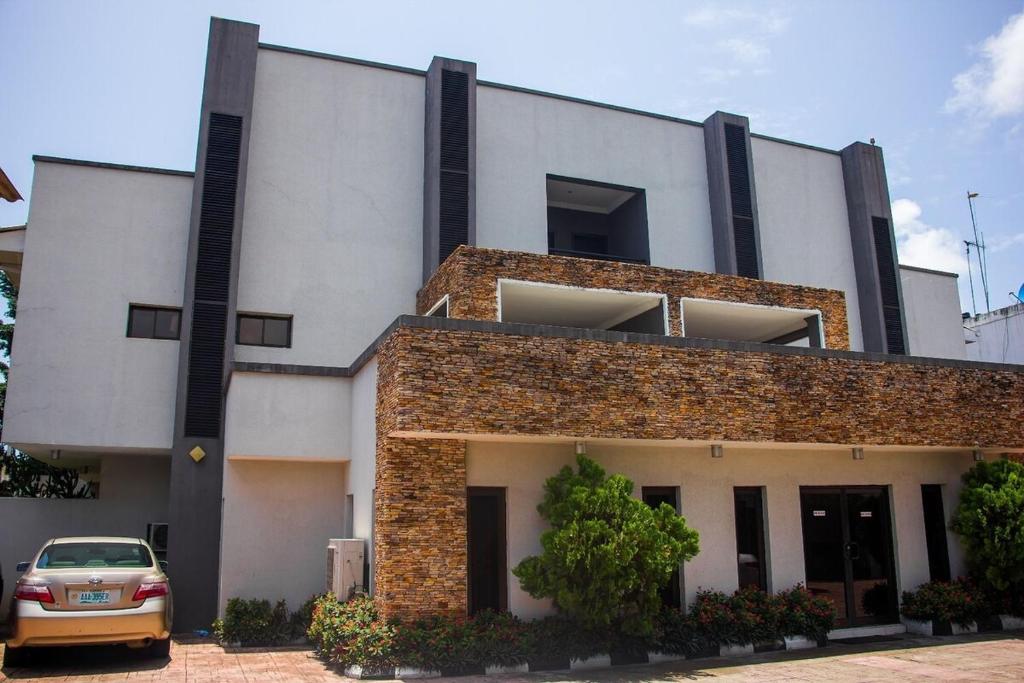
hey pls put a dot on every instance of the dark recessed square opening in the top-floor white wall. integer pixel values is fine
(589, 220)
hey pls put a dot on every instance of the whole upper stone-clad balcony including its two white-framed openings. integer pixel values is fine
(517, 287)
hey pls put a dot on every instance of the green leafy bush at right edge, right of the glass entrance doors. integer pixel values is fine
(991, 523)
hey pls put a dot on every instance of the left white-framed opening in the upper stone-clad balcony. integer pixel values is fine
(538, 304)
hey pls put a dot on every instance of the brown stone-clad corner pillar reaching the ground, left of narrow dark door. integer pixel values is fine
(420, 515)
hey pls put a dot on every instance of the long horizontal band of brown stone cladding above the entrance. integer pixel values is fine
(454, 382)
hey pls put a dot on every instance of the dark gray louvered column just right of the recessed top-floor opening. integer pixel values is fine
(733, 195)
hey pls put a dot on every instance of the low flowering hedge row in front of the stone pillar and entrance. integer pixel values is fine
(355, 634)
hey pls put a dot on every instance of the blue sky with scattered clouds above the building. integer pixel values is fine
(938, 84)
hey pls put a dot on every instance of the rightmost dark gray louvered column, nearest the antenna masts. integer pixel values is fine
(875, 263)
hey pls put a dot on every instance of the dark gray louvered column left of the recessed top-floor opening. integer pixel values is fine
(450, 160)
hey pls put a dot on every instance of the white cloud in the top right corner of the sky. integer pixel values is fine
(995, 87)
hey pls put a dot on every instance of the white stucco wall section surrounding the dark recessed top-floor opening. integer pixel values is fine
(522, 138)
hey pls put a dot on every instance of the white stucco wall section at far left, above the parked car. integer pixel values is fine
(98, 240)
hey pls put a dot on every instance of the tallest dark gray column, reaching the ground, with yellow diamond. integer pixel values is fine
(208, 322)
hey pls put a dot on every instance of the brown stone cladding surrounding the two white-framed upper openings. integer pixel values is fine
(470, 277)
